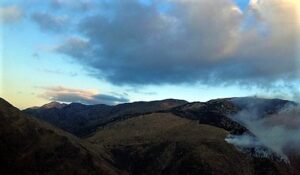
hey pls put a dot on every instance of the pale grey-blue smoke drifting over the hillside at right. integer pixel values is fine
(279, 131)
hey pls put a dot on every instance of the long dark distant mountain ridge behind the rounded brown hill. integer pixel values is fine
(82, 120)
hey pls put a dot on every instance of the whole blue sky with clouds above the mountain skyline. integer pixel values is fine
(115, 51)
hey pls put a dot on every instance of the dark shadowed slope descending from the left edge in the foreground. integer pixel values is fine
(28, 146)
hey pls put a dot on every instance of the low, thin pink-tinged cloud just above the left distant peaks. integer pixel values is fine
(70, 95)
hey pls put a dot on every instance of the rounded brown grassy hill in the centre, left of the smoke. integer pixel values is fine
(163, 143)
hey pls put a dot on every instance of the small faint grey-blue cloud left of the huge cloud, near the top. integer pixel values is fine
(52, 23)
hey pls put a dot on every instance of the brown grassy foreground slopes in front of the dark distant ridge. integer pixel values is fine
(158, 143)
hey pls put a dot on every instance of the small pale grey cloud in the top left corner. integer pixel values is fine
(10, 14)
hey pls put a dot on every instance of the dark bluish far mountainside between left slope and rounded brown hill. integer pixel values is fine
(82, 119)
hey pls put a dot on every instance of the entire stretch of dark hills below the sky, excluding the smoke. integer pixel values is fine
(168, 137)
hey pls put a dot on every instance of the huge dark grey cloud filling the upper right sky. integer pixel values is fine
(189, 41)
